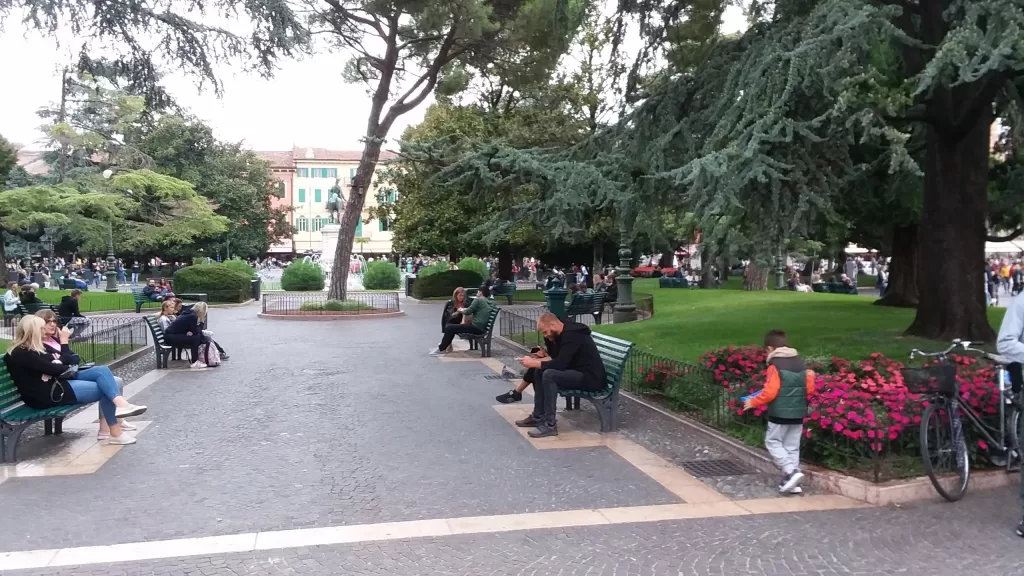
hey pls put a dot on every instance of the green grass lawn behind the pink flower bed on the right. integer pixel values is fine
(688, 323)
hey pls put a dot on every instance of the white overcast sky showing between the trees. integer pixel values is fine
(306, 104)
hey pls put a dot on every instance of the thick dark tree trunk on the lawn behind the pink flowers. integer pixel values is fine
(953, 303)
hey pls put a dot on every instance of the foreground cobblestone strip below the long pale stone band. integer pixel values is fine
(972, 538)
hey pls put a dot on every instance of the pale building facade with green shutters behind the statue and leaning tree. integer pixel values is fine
(307, 176)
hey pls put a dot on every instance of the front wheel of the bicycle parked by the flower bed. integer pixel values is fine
(944, 451)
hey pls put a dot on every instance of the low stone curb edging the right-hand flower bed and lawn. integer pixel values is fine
(892, 492)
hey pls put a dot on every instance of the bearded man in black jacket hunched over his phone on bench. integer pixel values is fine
(575, 364)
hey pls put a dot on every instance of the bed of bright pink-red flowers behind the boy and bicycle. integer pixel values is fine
(862, 419)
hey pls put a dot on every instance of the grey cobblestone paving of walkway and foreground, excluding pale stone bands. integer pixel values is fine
(328, 424)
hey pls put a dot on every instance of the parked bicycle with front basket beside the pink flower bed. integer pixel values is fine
(943, 422)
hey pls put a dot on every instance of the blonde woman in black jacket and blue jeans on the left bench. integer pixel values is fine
(36, 375)
